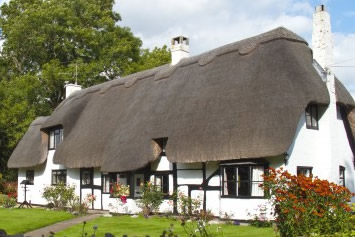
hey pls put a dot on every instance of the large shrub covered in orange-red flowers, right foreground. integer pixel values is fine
(305, 206)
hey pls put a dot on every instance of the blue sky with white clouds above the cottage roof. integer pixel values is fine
(213, 23)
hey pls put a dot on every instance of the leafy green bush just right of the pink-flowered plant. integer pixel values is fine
(151, 198)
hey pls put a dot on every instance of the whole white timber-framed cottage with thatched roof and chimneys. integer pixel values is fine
(207, 126)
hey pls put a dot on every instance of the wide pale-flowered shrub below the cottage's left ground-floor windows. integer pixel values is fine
(61, 195)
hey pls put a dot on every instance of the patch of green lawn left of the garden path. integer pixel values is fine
(16, 221)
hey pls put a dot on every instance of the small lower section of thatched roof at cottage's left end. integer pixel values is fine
(32, 149)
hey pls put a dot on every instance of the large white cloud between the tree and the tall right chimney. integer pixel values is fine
(210, 24)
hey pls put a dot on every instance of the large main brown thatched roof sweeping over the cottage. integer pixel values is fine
(243, 100)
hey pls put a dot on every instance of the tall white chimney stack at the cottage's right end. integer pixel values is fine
(322, 42)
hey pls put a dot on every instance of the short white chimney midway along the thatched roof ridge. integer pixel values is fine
(179, 49)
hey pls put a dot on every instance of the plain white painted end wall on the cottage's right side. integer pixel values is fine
(325, 149)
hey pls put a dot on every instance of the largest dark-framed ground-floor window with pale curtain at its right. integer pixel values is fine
(242, 181)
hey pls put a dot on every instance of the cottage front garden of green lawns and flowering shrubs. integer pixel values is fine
(302, 206)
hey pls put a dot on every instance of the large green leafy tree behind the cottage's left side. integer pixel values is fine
(47, 43)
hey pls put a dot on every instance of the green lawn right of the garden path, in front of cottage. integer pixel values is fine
(140, 227)
